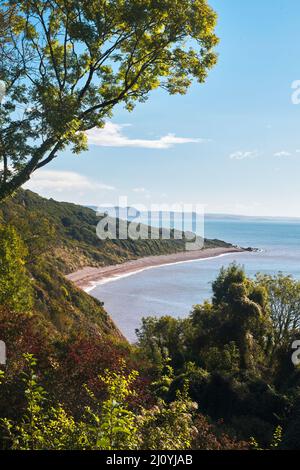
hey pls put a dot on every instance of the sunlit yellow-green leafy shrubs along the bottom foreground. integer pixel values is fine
(107, 425)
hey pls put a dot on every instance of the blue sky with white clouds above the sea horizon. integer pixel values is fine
(231, 145)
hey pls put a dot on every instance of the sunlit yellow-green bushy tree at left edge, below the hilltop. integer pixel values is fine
(15, 291)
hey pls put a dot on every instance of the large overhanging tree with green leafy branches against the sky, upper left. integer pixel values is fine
(73, 61)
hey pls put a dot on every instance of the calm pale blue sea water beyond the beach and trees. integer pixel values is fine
(174, 289)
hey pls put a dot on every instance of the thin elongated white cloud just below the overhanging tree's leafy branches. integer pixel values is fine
(112, 136)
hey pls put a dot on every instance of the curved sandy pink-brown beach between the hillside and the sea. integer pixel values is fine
(88, 277)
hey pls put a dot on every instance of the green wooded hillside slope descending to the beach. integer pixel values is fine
(61, 238)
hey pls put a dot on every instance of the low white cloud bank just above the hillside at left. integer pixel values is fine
(59, 181)
